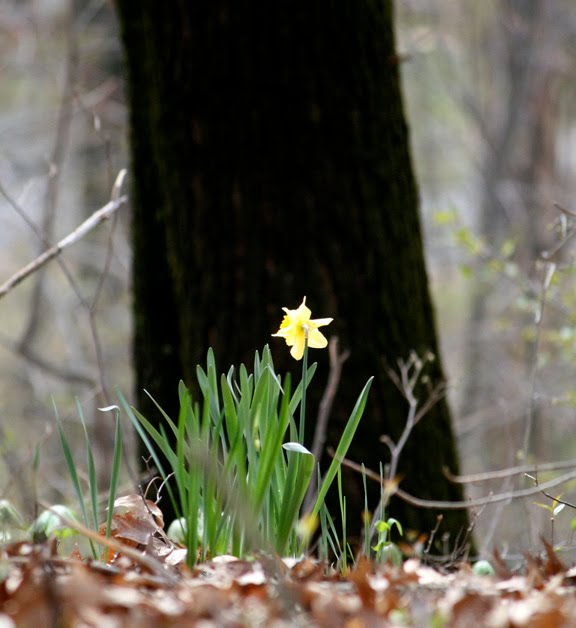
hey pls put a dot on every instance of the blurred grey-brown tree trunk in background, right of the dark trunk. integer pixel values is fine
(518, 176)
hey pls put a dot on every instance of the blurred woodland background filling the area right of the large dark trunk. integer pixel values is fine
(497, 78)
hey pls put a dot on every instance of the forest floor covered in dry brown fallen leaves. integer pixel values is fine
(151, 587)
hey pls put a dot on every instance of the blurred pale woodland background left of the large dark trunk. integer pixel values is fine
(64, 333)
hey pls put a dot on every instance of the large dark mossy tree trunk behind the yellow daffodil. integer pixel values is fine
(271, 161)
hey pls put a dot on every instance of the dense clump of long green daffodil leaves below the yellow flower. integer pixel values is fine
(239, 463)
